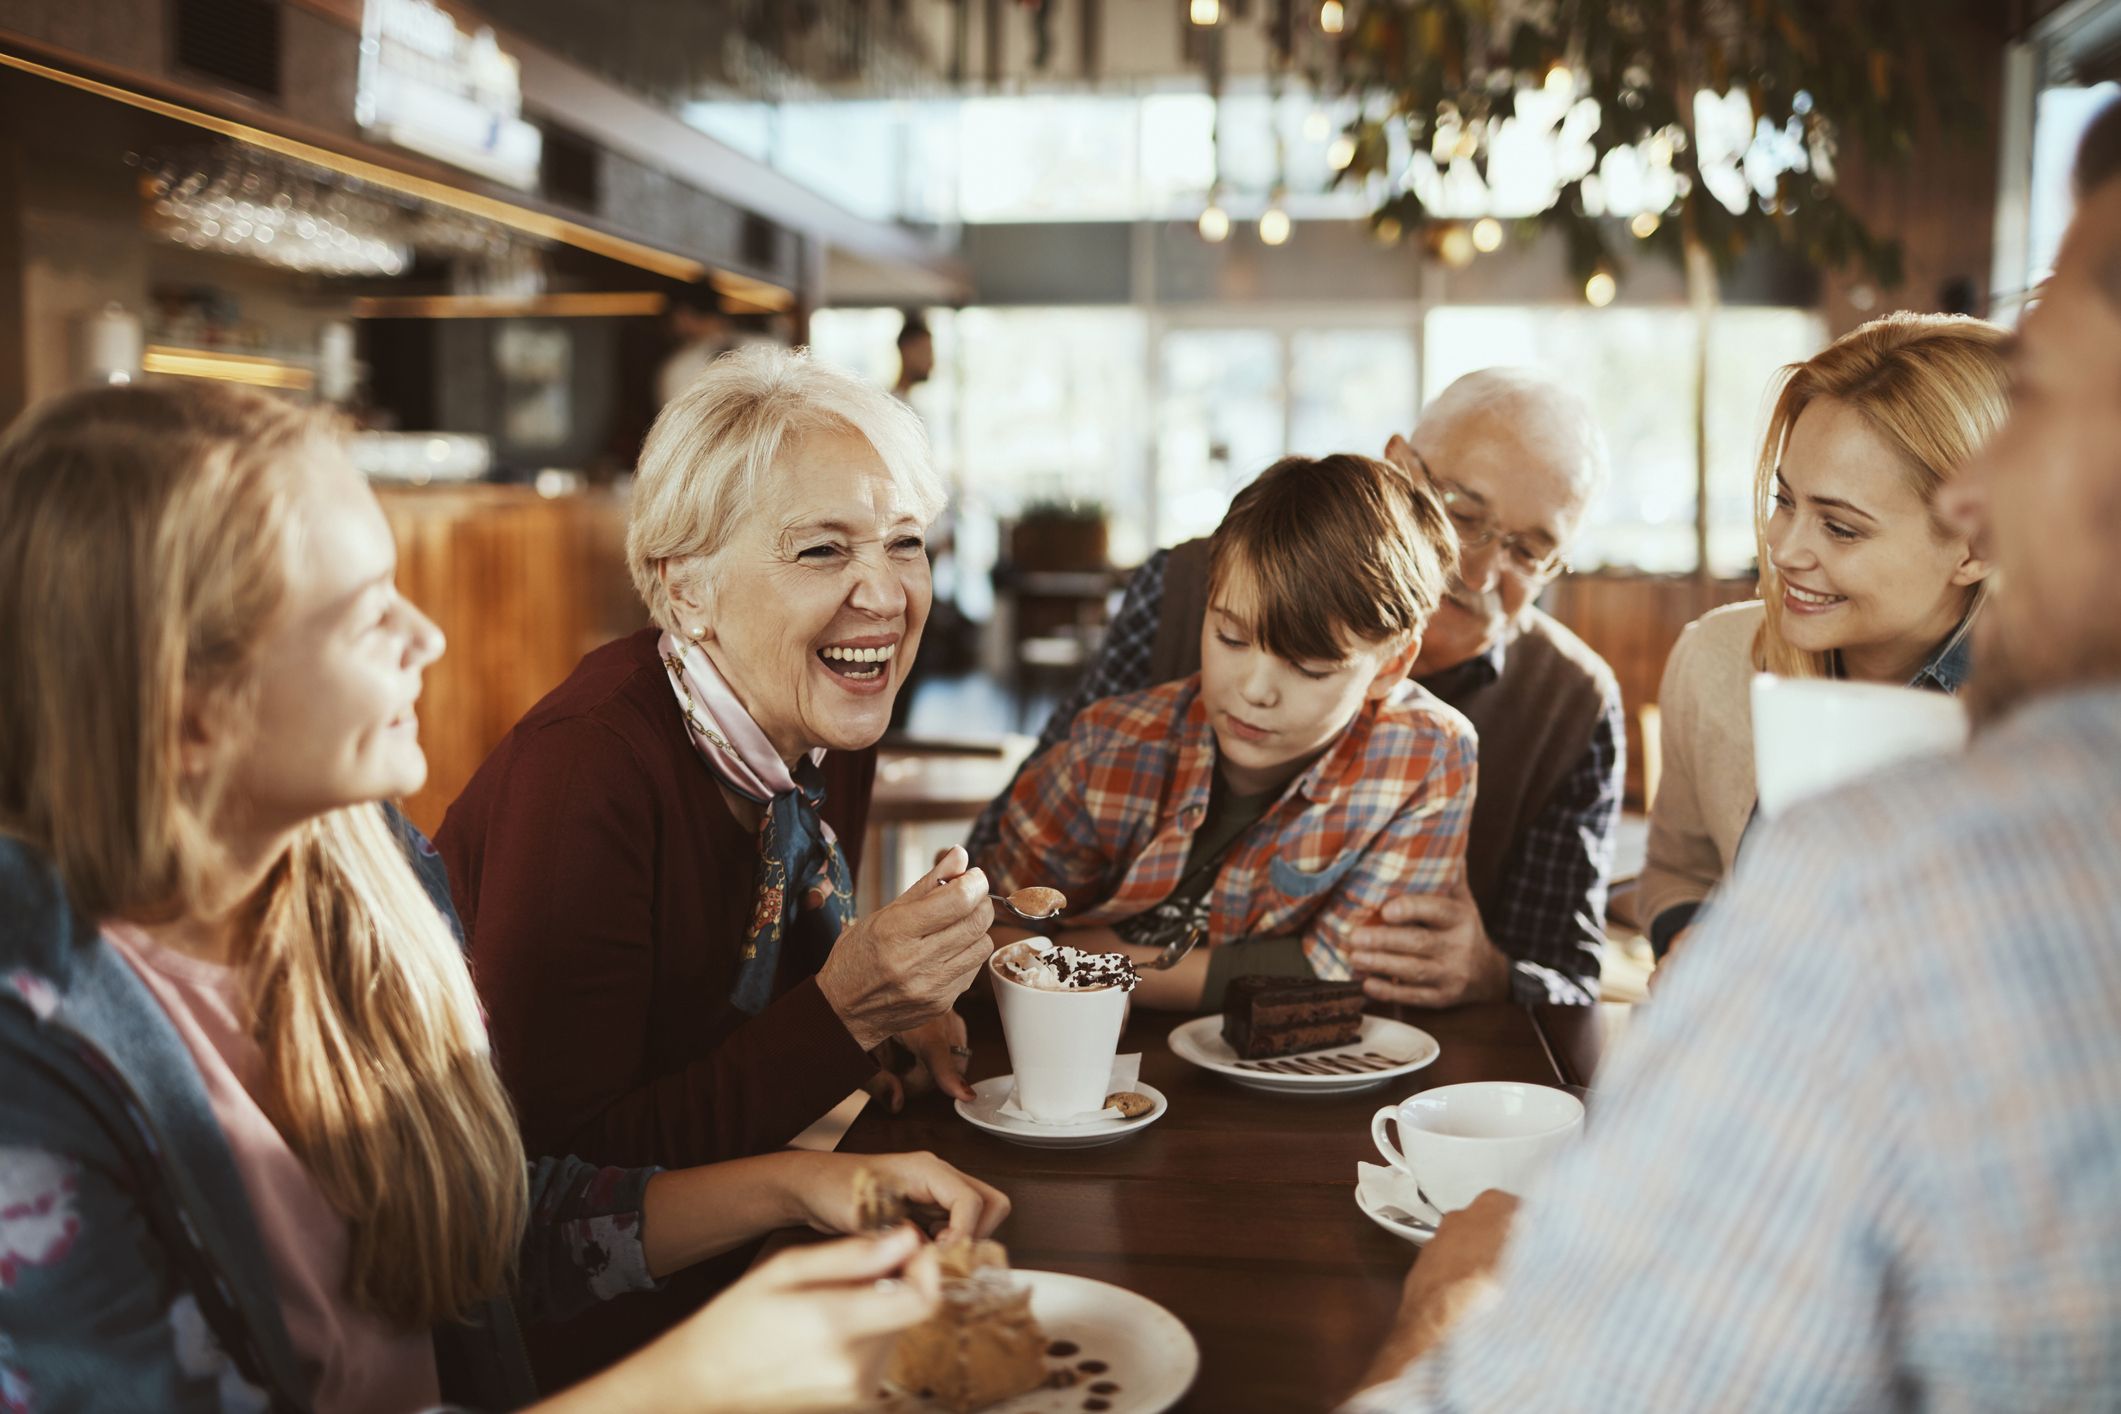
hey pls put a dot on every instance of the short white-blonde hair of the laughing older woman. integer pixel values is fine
(714, 450)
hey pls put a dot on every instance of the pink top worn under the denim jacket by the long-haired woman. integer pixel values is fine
(360, 1362)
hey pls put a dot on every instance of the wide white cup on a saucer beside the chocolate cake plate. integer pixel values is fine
(1458, 1142)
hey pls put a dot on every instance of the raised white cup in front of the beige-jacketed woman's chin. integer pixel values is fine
(1817, 735)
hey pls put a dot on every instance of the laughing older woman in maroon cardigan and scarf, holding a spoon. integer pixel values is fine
(656, 864)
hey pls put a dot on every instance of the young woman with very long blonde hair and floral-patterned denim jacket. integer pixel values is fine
(253, 1150)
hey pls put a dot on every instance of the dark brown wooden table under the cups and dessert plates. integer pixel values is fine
(1238, 1209)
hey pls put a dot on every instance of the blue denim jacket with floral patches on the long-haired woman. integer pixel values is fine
(133, 1273)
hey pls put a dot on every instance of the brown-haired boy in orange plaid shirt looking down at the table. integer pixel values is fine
(1295, 783)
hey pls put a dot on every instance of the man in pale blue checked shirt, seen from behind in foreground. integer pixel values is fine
(1865, 1150)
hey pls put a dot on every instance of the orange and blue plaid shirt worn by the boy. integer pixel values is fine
(1108, 815)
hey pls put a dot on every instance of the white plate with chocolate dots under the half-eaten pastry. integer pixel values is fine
(1149, 1354)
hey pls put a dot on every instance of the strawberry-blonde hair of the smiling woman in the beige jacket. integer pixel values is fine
(1935, 387)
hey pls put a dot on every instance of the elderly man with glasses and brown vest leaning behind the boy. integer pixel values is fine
(1515, 461)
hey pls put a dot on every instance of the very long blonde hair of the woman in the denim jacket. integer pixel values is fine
(145, 544)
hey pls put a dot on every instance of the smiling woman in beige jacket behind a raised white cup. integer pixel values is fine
(1861, 578)
